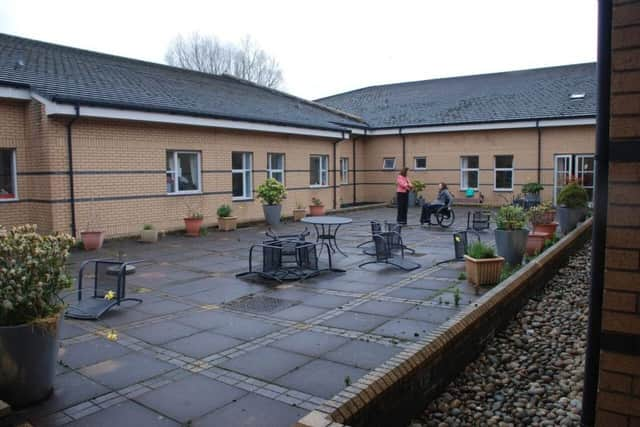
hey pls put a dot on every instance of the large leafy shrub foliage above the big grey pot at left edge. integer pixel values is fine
(33, 272)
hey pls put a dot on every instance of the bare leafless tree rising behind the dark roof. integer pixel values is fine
(210, 55)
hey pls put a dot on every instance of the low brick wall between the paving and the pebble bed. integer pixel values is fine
(401, 387)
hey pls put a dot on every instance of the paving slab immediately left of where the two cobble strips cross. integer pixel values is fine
(126, 370)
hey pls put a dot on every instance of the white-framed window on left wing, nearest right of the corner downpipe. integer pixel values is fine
(183, 172)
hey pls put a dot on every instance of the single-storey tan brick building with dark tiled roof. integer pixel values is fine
(89, 140)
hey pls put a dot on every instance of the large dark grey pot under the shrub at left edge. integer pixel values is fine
(28, 361)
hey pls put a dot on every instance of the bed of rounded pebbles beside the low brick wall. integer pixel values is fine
(532, 373)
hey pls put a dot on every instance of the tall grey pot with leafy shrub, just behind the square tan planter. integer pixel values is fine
(511, 234)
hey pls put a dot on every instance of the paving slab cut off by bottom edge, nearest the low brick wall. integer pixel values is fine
(253, 410)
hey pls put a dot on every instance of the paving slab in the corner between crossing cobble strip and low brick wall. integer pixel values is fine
(321, 378)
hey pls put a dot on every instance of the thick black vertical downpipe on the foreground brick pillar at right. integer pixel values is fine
(592, 360)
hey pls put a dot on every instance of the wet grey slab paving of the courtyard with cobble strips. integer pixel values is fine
(208, 349)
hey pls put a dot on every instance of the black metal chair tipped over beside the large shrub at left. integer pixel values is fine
(109, 288)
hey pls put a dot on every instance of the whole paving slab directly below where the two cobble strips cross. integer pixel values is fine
(190, 397)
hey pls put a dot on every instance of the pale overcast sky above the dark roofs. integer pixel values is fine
(331, 46)
